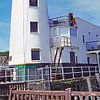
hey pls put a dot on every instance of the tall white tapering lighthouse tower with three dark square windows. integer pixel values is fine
(29, 36)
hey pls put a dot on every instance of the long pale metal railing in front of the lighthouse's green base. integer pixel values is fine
(48, 73)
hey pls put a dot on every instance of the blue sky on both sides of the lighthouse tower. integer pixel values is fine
(86, 9)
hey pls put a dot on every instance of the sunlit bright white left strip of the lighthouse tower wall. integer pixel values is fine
(16, 34)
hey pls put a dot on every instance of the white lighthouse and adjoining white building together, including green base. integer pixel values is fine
(65, 42)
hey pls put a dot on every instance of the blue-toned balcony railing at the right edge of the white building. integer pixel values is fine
(93, 45)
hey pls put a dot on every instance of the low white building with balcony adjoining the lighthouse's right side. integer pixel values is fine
(81, 42)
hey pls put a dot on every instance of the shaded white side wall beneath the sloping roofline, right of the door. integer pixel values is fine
(84, 28)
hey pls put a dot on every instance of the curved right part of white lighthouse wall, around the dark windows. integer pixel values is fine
(40, 39)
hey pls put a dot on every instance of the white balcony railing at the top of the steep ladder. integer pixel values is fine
(60, 41)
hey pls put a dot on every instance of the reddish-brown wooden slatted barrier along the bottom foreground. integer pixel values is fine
(53, 95)
